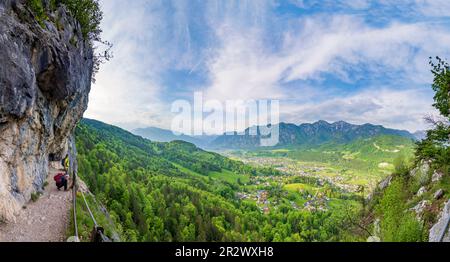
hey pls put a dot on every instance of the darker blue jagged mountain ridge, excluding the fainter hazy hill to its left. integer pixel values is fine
(317, 133)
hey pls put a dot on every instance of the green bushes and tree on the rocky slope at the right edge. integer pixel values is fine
(397, 222)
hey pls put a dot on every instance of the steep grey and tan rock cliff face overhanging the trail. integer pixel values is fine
(45, 77)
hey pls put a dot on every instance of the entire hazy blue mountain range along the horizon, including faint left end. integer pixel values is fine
(308, 134)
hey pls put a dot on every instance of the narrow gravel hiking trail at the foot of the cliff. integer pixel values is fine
(45, 220)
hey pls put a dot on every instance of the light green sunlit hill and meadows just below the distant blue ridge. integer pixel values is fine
(361, 162)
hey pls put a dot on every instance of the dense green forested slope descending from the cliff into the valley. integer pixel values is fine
(168, 192)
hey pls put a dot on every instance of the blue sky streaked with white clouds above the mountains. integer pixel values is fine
(355, 60)
